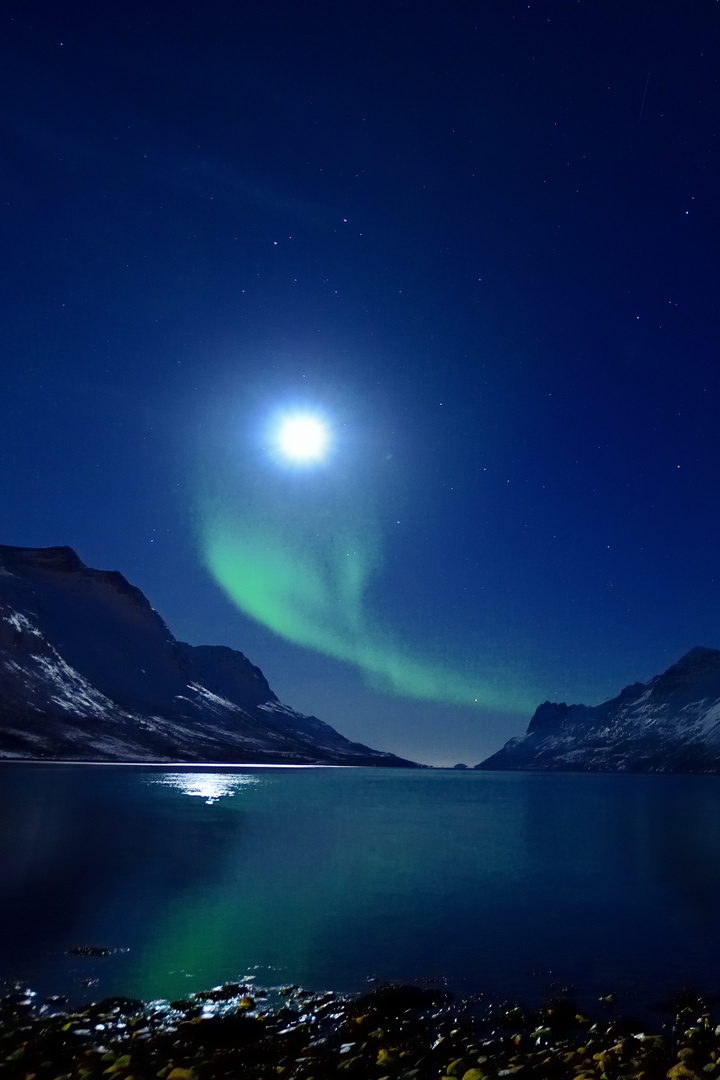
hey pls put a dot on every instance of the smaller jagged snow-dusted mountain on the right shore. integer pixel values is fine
(671, 724)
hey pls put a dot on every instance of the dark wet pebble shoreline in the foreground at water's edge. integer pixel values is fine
(395, 1033)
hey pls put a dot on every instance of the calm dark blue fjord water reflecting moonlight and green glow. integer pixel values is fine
(510, 884)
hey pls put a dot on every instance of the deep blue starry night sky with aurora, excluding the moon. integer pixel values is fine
(478, 242)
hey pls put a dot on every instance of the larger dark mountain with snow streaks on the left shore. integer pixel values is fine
(90, 672)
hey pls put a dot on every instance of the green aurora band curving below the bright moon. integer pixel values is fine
(296, 550)
